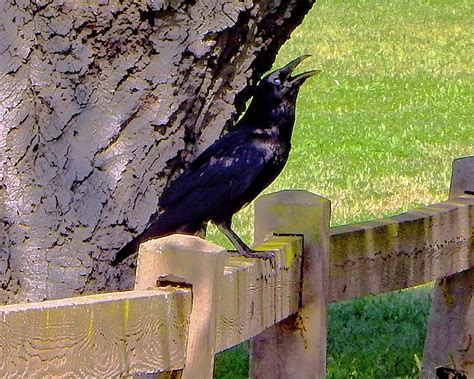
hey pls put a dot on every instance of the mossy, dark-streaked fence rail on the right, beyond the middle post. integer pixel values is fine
(403, 251)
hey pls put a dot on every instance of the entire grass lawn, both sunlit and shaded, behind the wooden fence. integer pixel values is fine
(376, 133)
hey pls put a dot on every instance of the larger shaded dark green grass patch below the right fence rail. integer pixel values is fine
(378, 336)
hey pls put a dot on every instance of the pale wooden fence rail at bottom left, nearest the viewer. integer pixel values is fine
(95, 336)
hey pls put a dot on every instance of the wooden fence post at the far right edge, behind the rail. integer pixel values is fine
(450, 338)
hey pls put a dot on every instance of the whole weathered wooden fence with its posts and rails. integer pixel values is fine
(191, 300)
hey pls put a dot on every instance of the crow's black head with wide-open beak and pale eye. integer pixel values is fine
(275, 95)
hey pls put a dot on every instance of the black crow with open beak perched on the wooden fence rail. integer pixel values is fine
(233, 170)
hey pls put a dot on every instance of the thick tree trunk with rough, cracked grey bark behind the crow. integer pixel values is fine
(102, 102)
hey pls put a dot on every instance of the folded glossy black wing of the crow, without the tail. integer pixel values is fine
(224, 171)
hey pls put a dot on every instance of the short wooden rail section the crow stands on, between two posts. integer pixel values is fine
(256, 296)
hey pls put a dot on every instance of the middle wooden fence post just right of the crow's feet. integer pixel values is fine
(296, 346)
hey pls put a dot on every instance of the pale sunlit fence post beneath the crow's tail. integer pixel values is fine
(194, 261)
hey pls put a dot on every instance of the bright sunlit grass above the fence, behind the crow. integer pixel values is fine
(377, 130)
